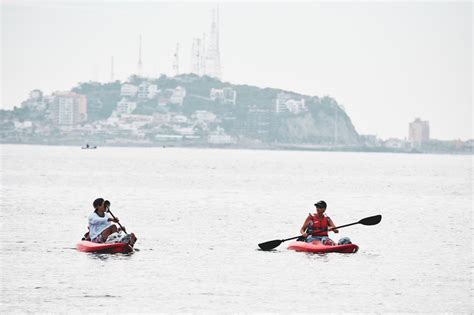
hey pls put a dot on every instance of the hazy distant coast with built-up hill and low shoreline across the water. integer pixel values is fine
(116, 115)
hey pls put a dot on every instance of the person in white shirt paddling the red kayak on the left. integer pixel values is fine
(100, 226)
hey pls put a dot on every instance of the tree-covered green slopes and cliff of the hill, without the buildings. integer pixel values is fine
(253, 115)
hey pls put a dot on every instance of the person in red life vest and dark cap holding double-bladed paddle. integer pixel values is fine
(316, 226)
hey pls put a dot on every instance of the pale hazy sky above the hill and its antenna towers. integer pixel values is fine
(387, 63)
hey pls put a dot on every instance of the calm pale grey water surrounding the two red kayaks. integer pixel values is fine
(199, 215)
